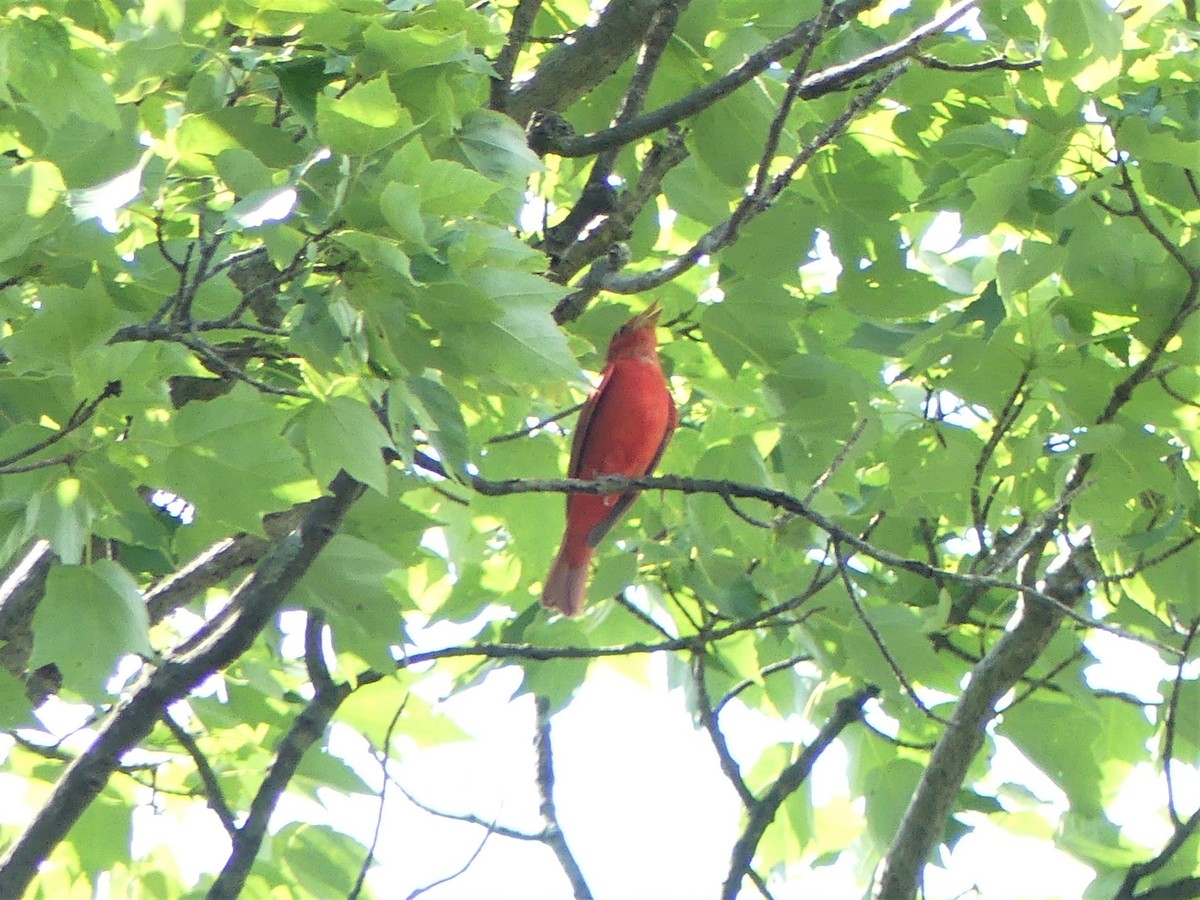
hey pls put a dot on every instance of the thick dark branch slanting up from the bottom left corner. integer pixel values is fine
(134, 719)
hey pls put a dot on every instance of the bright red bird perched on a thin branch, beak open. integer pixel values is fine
(623, 430)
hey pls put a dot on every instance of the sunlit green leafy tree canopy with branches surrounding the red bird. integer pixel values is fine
(298, 298)
